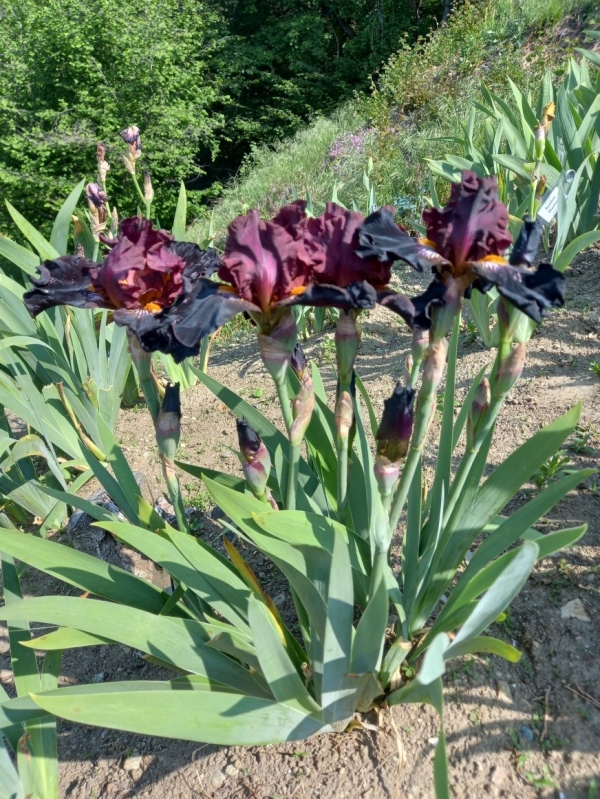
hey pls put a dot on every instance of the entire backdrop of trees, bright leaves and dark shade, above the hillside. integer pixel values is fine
(202, 79)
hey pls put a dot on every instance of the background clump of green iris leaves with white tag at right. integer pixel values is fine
(562, 180)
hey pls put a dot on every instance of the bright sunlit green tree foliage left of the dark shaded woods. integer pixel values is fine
(76, 72)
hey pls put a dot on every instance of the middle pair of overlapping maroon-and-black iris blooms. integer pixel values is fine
(269, 266)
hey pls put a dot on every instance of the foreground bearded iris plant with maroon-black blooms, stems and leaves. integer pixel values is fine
(326, 512)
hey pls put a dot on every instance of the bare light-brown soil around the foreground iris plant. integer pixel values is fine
(525, 730)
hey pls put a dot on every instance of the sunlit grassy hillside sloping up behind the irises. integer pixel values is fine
(421, 97)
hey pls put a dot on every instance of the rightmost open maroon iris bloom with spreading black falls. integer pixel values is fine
(465, 244)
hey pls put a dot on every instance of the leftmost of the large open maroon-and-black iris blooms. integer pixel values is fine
(142, 277)
